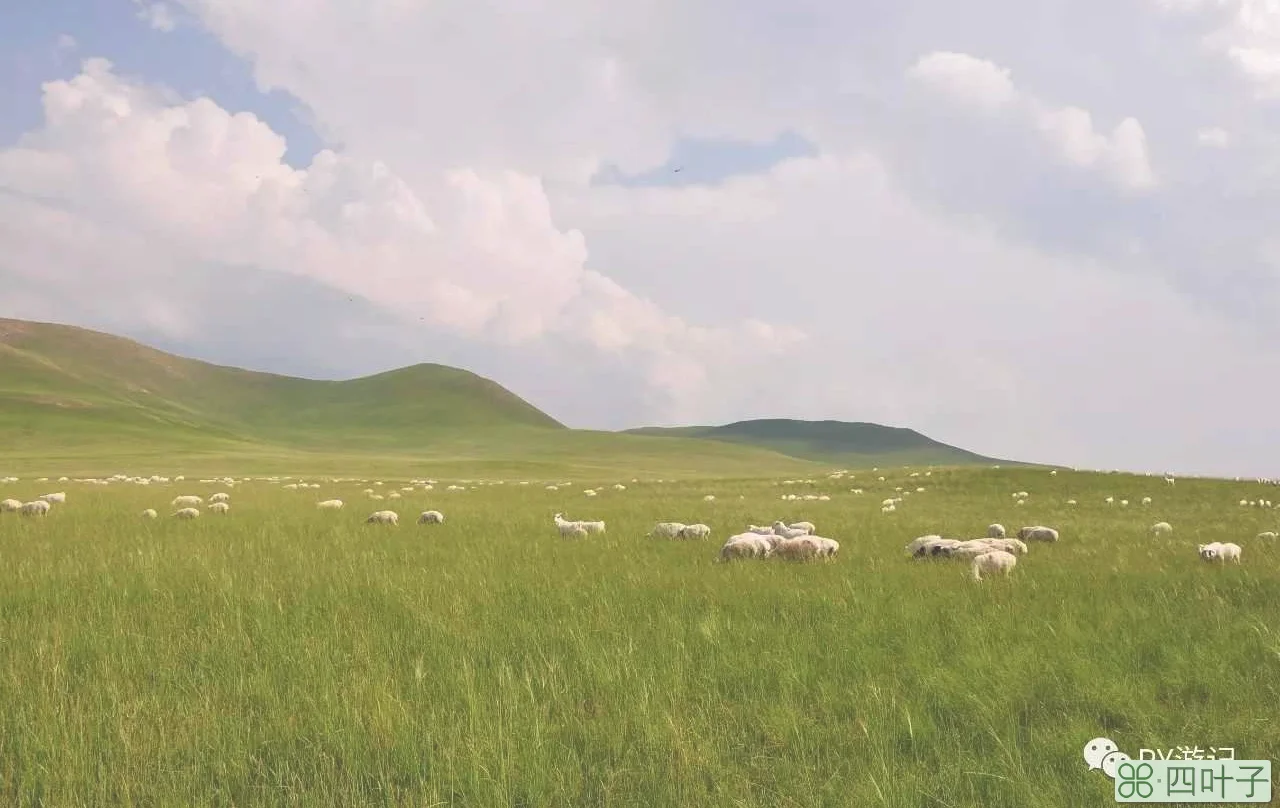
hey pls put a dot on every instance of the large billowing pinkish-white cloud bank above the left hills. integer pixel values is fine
(162, 185)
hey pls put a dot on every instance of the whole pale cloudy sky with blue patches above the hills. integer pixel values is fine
(1036, 230)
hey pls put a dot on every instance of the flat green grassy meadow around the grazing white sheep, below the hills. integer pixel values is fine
(282, 656)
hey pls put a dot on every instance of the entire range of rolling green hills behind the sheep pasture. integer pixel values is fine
(72, 395)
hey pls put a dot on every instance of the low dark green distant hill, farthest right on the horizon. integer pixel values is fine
(831, 442)
